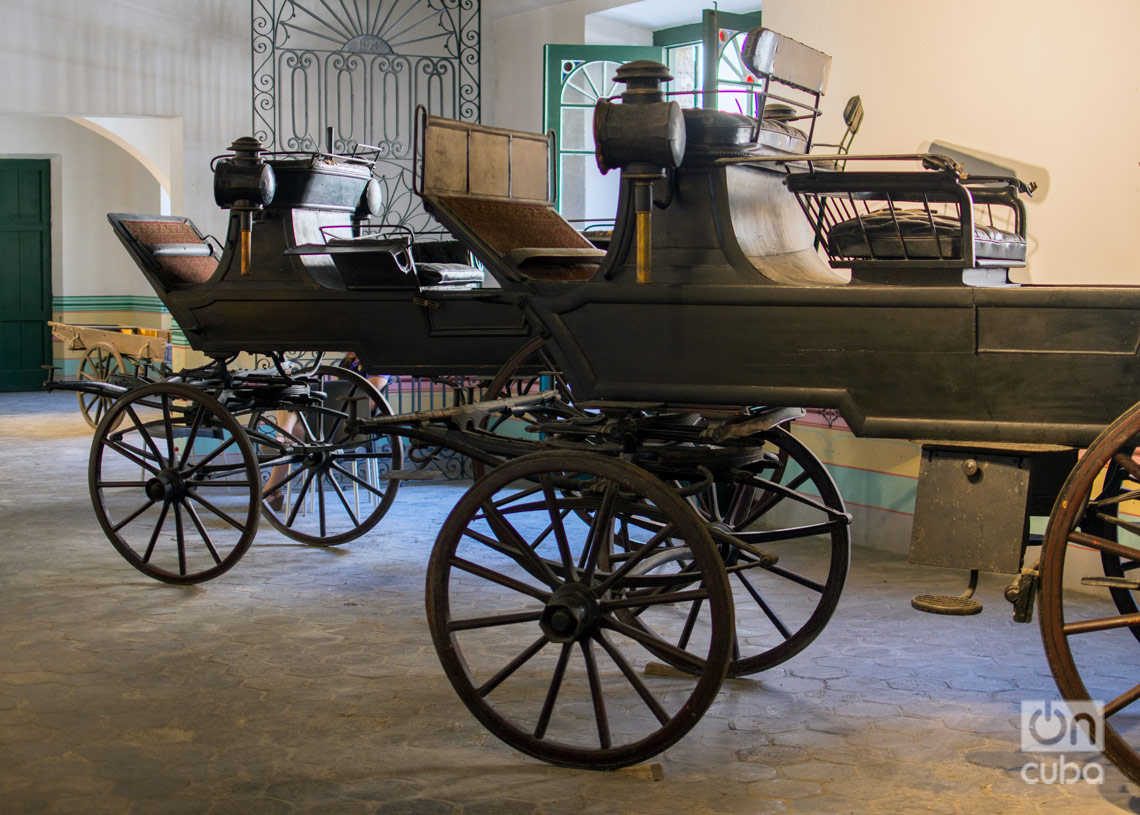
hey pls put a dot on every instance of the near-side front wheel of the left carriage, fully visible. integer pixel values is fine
(176, 488)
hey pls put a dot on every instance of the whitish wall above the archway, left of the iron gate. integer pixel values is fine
(135, 59)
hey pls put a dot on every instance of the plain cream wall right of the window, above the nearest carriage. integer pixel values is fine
(1043, 83)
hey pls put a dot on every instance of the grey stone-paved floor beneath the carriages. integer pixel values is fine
(305, 682)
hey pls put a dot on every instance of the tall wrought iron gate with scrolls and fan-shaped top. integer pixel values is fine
(362, 68)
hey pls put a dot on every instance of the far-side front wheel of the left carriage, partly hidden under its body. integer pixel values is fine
(322, 486)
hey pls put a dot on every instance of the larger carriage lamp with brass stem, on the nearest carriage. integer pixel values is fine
(645, 136)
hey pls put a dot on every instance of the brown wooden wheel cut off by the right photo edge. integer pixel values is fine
(1095, 624)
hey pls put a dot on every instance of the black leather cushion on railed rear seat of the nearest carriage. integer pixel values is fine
(889, 231)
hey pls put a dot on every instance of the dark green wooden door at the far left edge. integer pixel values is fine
(26, 273)
